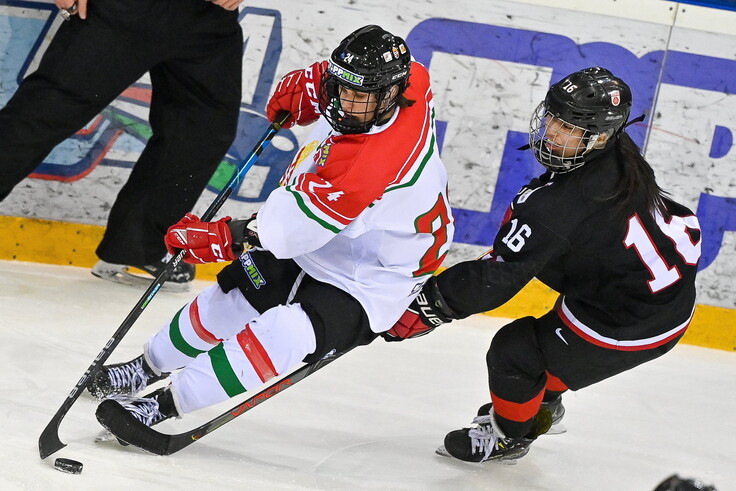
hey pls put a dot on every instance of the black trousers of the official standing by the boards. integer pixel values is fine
(193, 51)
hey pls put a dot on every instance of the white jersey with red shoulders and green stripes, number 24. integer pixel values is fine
(367, 213)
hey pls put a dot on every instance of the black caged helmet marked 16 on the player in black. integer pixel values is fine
(592, 100)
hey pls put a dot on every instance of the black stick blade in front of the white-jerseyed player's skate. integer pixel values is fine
(124, 426)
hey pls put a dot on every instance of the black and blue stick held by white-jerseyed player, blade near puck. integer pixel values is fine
(49, 441)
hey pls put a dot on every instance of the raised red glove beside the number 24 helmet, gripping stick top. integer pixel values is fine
(298, 93)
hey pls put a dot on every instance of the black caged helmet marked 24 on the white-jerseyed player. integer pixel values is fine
(370, 61)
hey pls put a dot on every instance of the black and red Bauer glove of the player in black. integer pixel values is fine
(428, 311)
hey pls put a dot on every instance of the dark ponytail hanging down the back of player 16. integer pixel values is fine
(637, 181)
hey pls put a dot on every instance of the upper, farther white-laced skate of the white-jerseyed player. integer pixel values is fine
(123, 378)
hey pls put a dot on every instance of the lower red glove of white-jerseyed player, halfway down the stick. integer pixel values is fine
(204, 242)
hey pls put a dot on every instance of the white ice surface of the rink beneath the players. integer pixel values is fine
(370, 420)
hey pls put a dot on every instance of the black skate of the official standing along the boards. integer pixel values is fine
(180, 279)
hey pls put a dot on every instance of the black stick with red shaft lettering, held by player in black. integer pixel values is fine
(117, 419)
